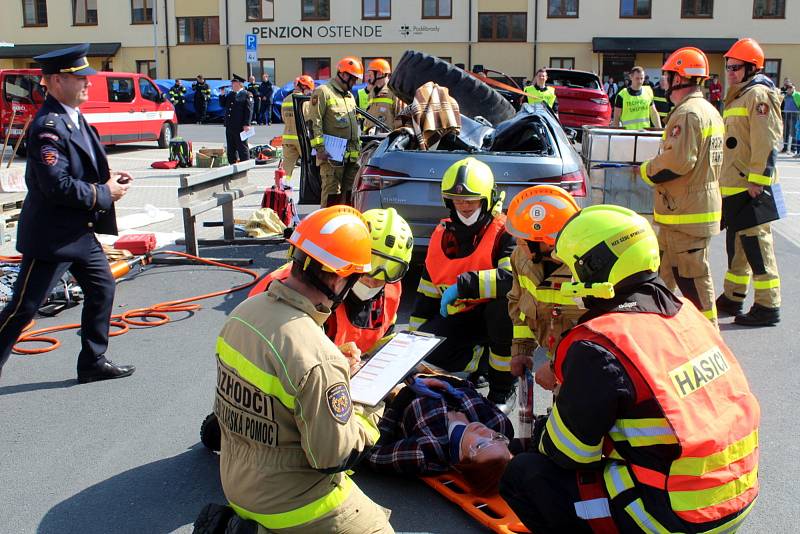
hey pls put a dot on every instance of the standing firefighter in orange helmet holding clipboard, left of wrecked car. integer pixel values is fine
(332, 111)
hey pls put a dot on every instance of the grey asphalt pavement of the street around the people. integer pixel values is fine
(124, 456)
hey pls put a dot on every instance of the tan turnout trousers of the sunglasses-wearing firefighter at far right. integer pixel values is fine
(751, 253)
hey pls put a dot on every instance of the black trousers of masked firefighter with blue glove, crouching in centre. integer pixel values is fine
(467, 333)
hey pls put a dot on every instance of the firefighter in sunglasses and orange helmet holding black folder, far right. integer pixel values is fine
(748, 183)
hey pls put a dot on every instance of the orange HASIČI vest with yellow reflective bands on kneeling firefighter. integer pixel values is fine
(708, 415)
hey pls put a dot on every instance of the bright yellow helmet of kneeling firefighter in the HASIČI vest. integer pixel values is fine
(602, 246)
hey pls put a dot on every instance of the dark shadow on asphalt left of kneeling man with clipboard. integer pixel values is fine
(161, 496)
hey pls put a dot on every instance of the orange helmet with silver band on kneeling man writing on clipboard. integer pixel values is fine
(336, 237)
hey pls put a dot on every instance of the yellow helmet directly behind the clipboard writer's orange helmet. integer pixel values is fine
(392, 243)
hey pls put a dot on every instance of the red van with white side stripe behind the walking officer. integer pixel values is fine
(123, 107)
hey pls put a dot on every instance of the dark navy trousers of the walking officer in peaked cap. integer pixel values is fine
(36, 279)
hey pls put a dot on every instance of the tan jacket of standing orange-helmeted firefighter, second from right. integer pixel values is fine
(686, 172)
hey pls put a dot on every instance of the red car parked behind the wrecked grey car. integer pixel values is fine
(581, 99)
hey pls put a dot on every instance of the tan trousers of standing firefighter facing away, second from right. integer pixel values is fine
(685, 266)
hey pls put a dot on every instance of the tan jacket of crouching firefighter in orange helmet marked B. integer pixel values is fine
(539, 312)
